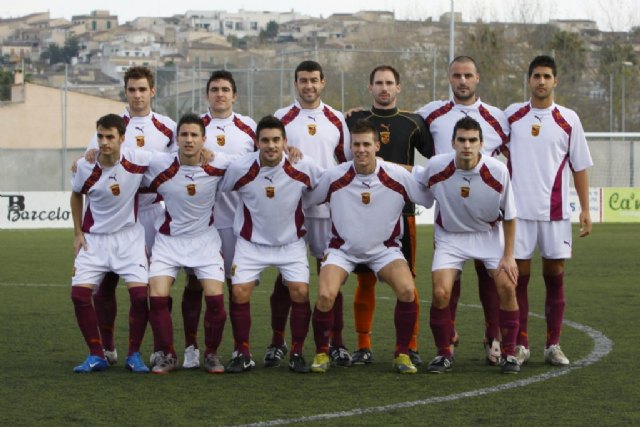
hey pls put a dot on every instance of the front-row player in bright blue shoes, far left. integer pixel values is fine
(108, 238)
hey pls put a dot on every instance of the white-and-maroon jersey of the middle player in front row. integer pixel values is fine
(270, 210)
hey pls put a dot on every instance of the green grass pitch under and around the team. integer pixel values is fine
(41, 343)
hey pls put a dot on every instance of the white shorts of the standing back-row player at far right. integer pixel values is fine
(553, 238)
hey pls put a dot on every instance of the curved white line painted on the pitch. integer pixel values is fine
(602, 347)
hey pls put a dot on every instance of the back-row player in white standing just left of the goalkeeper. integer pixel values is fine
(321, 133)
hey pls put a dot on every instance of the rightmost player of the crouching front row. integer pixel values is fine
(474, 196)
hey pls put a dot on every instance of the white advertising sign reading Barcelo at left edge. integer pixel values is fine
(35, 209)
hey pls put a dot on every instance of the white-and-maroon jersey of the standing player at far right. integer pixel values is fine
(545, 144)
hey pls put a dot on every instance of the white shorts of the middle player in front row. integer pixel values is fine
(250, 259)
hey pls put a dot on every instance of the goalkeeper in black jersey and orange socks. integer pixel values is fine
(401, 133)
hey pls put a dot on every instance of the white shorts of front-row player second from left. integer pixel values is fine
(200, 253)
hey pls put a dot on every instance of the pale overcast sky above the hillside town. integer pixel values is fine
(622, 17)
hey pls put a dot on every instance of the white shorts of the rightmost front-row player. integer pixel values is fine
(453, 249)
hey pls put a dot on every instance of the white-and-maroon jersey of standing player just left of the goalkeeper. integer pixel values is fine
(320, 133)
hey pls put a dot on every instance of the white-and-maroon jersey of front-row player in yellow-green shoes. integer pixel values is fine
(366, 210)
